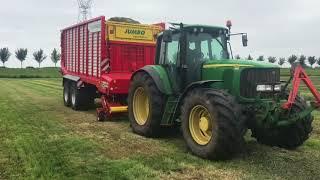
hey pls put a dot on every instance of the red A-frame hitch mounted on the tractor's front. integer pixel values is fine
(298, 76)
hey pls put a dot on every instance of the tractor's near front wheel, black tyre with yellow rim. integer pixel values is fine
(211, 124)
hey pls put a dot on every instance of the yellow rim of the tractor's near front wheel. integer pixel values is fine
(200, 125)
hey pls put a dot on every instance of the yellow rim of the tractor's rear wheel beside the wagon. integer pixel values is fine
(140, 106)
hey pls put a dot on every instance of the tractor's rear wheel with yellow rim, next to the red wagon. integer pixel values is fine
(146, 105)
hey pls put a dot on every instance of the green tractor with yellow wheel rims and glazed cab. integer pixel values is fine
(196, 85)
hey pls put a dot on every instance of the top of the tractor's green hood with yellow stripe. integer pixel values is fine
(237, 64)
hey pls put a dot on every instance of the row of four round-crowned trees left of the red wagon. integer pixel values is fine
(21, 54)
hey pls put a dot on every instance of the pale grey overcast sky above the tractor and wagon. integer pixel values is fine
(274, 27)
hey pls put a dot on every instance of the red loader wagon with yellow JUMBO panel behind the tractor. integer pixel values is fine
(98, 59)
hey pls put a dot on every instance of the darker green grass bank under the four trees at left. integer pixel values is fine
(30, 73)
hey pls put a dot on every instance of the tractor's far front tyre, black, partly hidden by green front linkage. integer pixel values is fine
(289, 137)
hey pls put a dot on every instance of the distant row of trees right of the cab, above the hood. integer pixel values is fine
(293, 59)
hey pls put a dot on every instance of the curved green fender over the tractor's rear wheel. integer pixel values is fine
(160, 77)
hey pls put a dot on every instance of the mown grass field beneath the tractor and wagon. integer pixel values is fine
(41, 139)
